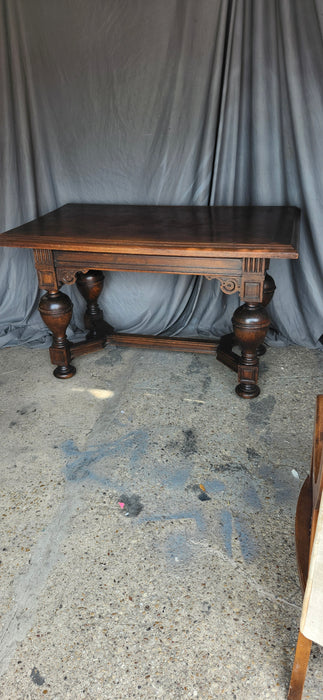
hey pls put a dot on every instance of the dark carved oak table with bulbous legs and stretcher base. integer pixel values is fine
(234, 245)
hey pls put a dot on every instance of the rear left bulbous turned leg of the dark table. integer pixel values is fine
(90, 286)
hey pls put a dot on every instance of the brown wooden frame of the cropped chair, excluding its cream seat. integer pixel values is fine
(305, 526)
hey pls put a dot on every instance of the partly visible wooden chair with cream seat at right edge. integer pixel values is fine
(309, 549)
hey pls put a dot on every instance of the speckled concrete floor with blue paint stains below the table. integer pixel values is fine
(117, 579)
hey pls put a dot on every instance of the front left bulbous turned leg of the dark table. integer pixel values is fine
(56, 311)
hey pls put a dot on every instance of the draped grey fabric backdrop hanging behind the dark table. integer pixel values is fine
(165, 102)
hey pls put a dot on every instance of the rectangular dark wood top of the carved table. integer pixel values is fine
(270, 232)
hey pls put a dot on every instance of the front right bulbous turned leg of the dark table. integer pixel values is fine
(250, 324)
